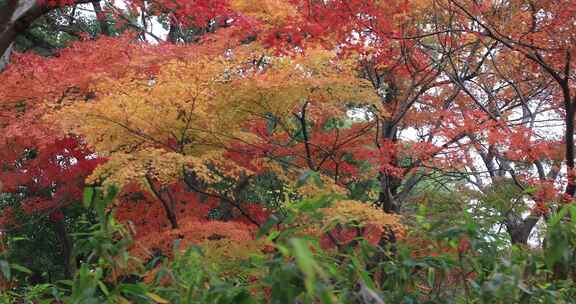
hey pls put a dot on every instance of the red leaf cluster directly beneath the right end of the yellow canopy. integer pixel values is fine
(330, 150)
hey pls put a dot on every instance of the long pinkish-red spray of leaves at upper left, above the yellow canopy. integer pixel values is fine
(33, 77)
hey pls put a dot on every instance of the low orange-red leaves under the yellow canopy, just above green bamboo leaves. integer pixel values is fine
(152, 230)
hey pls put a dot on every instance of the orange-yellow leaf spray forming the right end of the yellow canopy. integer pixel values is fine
(318, 76)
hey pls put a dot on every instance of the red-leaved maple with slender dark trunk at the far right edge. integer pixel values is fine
(545, 48)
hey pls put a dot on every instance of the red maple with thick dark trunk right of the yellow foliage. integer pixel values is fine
(406, 74)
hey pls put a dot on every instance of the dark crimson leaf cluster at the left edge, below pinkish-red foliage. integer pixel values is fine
(51, 180)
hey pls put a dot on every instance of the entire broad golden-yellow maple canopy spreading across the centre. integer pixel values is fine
(187, 113)
